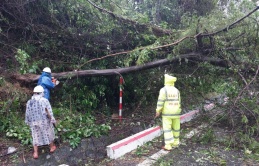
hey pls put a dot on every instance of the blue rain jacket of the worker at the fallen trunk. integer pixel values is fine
(46, 83)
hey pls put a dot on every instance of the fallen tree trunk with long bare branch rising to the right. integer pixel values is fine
(195, 56)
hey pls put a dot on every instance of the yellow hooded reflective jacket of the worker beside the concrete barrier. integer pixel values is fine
(169, 101)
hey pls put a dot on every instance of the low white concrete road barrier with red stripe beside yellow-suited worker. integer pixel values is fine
(126, 145)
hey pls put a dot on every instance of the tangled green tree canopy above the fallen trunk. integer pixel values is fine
(86, 35)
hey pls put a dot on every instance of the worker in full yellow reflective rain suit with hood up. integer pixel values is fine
(169, 104)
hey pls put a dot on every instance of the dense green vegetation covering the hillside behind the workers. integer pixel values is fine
(209, 45)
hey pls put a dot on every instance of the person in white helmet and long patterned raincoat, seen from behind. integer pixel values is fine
(39, 117)
